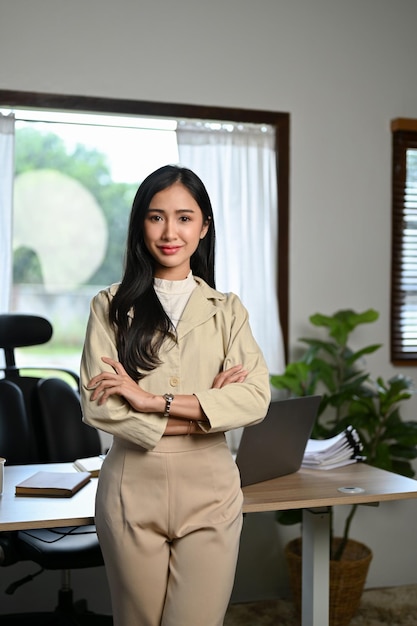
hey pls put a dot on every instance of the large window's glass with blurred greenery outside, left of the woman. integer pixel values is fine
(75, 176)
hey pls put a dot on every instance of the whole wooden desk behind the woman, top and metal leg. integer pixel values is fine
(311, 490)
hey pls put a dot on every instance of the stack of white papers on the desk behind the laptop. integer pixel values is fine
(343, 449)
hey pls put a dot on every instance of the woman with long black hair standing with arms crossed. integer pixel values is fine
(170, 364)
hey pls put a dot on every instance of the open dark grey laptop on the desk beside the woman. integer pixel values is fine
(275, 447)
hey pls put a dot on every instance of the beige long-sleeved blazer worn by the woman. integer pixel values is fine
(212, 335)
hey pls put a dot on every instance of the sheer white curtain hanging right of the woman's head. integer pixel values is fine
(237, 164)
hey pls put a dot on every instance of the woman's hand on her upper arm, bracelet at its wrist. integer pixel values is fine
(120, 383)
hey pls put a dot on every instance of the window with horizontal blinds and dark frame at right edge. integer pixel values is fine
(404, 243)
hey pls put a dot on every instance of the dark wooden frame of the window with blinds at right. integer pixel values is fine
(404, 136)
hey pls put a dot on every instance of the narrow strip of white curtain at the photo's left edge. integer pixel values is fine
(7, 123)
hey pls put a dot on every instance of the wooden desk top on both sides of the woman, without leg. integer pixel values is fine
(304, 489)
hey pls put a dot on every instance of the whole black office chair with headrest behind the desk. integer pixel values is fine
(41, 422)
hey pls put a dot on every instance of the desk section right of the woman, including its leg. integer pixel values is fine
(314, 491)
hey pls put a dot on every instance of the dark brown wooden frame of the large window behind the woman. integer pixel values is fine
(105, 107)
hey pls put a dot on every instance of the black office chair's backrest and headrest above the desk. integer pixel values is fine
(40, 418)
